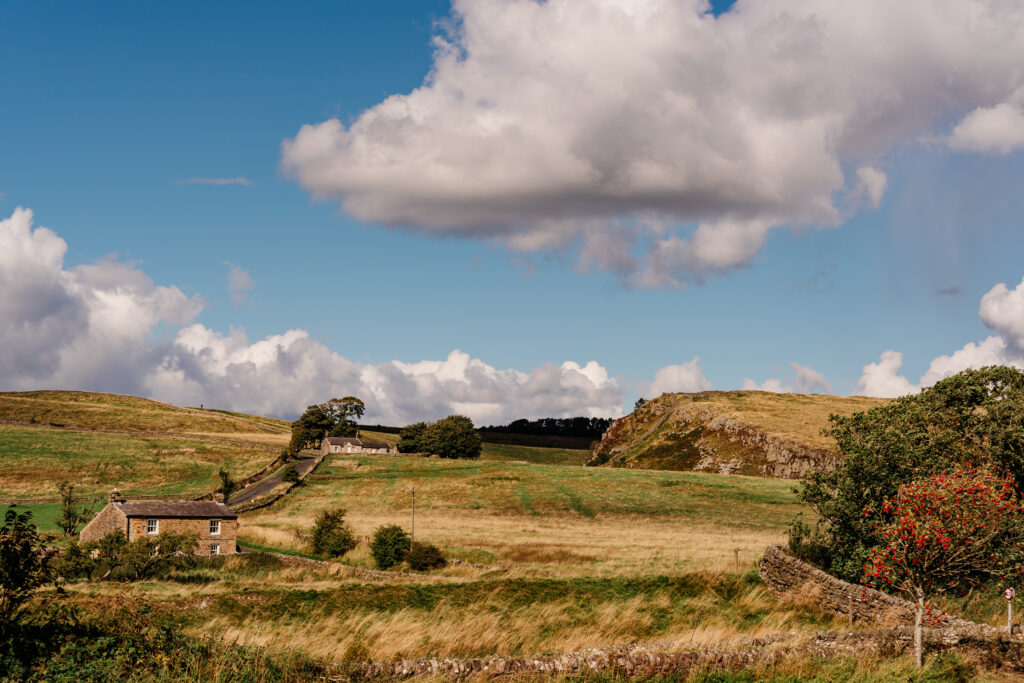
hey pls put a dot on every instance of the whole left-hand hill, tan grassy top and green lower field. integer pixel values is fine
(101, 442)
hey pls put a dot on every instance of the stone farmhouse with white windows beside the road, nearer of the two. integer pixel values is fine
(215, 524)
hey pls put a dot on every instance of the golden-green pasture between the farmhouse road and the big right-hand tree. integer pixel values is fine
(550, 519)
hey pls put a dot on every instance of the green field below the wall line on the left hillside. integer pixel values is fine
(34, 460)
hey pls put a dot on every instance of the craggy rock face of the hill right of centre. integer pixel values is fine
(677, 433)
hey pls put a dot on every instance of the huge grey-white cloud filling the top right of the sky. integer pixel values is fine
(662, 142)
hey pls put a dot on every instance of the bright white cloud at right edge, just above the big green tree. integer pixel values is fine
(1002, 311)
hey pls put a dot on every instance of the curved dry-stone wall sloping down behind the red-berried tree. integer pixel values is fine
(789, 577)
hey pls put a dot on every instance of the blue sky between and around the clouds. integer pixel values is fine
(110, 109)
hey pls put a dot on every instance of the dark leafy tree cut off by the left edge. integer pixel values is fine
(23, 567)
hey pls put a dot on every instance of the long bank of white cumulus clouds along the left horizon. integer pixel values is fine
(98, 327)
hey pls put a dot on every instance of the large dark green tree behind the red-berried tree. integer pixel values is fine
(976, 416)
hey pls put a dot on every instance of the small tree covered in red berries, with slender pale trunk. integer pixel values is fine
(949, 533)
